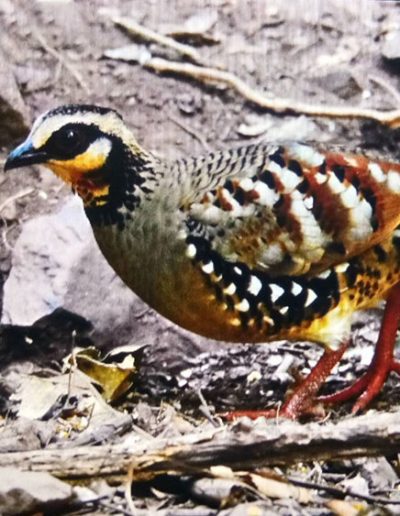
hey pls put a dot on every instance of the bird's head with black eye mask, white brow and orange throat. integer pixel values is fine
(89, 147)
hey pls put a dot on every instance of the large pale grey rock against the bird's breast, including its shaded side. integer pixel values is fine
(56, 263)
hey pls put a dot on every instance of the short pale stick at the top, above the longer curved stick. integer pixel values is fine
(149, 35)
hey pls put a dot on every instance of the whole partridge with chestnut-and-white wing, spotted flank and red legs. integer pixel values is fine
(259, 243)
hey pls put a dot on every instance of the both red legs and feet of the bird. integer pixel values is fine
(302, 401)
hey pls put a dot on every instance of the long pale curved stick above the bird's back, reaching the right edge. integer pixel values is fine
(276, 104)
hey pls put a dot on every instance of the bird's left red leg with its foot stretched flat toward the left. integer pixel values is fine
(303, 397)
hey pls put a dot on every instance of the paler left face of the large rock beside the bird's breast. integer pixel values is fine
(41, 264)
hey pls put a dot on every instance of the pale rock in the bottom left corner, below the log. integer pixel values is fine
(27, 491)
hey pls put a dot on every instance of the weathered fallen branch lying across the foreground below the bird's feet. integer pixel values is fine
(242, 446)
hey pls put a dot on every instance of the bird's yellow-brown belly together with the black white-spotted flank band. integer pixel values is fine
(201, 300)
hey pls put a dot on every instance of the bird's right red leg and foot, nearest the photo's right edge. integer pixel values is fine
(383, 362)
